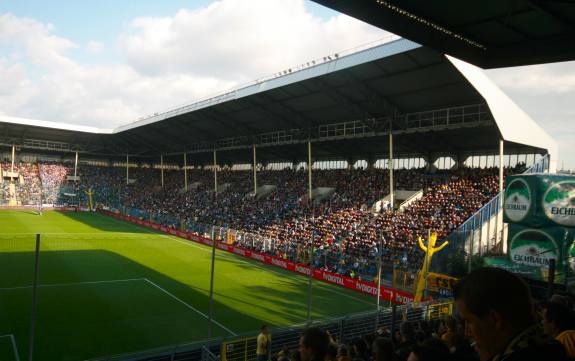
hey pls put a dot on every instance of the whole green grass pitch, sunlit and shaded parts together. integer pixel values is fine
(110, 287)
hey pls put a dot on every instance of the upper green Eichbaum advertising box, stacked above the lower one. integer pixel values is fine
(540, 200)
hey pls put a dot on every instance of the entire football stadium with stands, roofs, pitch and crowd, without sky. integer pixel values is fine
(357, 198)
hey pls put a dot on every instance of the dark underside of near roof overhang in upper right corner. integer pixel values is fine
(489, 34)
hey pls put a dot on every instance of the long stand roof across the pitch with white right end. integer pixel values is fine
(345, 104)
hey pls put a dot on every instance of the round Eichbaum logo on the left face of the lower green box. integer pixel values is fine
(533, 247)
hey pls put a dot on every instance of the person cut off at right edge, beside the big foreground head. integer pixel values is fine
(559, 322)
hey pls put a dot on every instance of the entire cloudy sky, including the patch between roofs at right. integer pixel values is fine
(108, 62)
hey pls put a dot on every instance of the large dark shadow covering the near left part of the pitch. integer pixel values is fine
(95, 303)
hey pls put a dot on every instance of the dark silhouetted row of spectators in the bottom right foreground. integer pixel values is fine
(495, 319)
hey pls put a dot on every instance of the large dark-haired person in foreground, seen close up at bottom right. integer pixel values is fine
(498, 312)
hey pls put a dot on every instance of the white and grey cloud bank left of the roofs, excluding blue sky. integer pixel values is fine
(168, 61)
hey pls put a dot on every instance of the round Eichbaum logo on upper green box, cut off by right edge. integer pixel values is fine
(559, 203)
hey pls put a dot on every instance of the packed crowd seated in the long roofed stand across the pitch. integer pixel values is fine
(348, 234)
